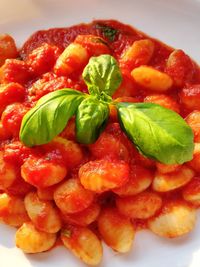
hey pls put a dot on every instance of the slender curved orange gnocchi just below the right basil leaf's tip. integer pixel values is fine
(174, 180)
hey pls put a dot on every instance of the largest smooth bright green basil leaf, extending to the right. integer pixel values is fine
(157, 132)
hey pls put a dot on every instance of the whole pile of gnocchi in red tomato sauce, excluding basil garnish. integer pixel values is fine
(80, 194)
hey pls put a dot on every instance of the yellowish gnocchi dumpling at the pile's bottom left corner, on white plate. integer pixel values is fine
(31, 240)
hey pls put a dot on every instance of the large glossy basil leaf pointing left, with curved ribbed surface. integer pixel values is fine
(49, 117)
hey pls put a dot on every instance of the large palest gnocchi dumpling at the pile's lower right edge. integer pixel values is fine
(175, 219)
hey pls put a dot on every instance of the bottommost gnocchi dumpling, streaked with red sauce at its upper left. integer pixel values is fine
(83, 243)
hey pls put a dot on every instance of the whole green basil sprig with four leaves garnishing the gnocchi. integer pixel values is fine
(157, 132)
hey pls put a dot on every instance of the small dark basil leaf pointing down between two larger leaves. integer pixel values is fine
(91, 119)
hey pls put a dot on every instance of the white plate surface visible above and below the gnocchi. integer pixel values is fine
(176, 22)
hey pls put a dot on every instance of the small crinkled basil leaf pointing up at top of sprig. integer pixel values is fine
(102, 74)
